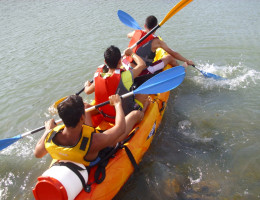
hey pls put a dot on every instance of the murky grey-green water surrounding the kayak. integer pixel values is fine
(208, 145)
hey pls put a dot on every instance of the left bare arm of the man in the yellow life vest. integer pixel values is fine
(40, 150)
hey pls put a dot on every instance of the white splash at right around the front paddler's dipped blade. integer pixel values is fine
(237, 77)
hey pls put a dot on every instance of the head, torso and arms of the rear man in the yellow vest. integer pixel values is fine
(75, 140)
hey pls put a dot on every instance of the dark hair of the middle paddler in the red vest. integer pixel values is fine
(112, 56)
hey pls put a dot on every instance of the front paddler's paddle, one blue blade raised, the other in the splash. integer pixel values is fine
(130, 21)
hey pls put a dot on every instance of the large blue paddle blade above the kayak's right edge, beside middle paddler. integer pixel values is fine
(162, 82)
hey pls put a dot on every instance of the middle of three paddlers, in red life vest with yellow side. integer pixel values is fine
(110, 79)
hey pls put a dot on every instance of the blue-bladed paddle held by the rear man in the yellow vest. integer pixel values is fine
(162, 82)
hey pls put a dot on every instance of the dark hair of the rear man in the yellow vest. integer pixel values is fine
(71, 109)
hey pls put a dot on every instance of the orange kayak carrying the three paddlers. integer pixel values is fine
(120, 167)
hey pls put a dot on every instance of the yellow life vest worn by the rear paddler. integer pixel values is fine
(75, 153)
